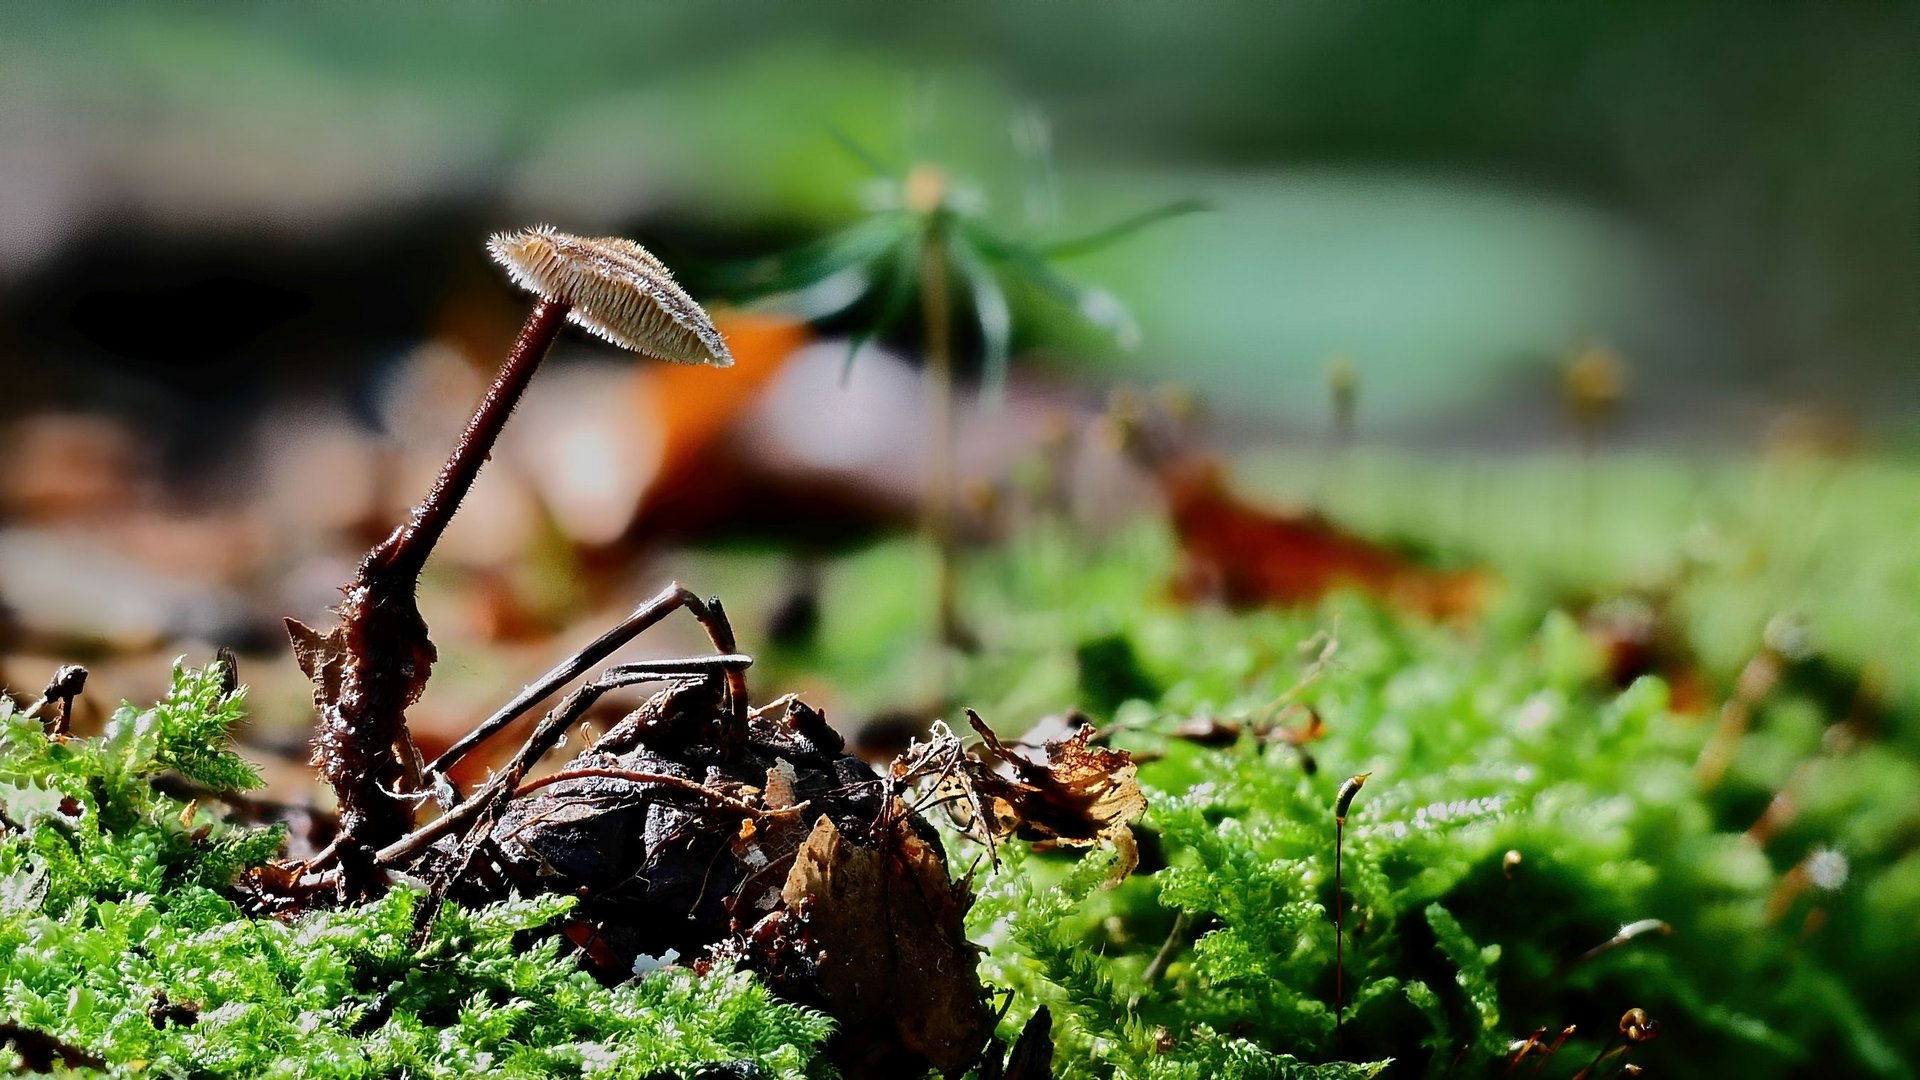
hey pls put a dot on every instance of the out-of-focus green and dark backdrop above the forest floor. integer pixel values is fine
(1451, 195)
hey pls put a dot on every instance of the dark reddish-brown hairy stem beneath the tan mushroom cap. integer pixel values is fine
(383, 649)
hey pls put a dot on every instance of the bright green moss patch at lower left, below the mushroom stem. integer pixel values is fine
(114, 908)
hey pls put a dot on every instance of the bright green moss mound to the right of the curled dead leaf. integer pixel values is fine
(1485, 739)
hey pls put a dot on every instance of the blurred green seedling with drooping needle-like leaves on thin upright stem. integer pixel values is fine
(928, 235)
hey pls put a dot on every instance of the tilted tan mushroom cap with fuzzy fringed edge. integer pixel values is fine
(617, 291)
